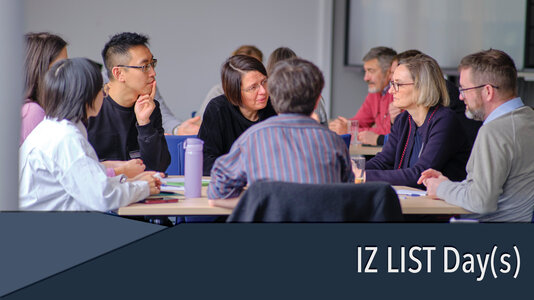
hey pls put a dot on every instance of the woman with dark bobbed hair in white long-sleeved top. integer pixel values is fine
(58, 169)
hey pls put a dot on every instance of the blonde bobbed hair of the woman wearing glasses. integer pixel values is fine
(428, 80)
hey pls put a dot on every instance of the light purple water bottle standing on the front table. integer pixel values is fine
(193, 167)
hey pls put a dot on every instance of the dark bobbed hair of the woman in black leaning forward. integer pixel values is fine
(232, 72)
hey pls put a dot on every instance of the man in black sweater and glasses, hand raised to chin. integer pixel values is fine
(129, 124)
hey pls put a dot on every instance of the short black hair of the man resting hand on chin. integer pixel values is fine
(115, 51)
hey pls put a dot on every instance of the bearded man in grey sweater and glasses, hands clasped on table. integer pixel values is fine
(500, 172)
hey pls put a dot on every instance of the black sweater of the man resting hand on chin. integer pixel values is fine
(115, 135)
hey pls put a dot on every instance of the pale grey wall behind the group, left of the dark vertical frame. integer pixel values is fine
(190, 39)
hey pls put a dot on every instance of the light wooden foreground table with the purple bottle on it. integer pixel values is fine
(200, 206)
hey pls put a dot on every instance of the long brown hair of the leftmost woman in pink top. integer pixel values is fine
(42, 49)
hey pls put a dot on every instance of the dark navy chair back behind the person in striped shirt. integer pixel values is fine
(272, 201)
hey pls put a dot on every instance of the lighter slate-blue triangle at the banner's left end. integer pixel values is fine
(36, 245)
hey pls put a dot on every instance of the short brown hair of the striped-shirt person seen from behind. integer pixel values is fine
(294, 86)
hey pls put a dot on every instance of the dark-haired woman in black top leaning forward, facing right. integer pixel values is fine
(245, 102)
